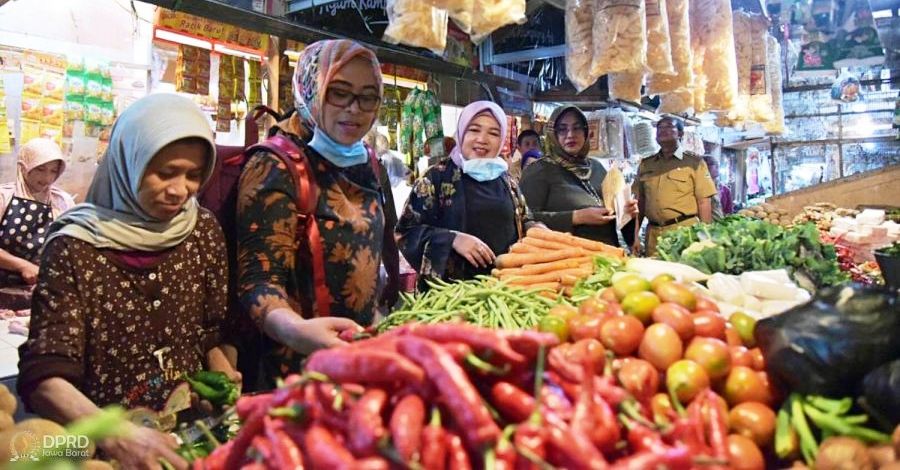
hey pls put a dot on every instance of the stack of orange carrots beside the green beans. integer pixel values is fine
(550, 260)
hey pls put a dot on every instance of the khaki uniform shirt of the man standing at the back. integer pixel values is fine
(670, 187)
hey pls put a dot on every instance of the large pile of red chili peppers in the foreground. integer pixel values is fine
(458, 396)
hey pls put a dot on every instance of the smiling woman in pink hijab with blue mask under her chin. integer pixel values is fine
(464, 211)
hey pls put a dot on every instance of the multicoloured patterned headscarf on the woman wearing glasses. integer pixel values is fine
(315, 70)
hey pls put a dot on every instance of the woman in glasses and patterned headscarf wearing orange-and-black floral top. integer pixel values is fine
(337, 92)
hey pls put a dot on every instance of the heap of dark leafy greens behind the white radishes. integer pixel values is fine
(737, 244)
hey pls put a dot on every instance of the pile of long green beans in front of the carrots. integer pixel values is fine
(483, 301)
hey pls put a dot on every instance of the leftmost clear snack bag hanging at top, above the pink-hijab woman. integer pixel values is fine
(416, 23)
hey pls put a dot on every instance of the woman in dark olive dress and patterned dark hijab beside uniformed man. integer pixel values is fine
(562, 188)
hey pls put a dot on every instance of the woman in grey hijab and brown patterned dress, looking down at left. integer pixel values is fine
(132, 291)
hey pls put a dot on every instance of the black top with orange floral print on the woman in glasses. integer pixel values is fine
(275, 272)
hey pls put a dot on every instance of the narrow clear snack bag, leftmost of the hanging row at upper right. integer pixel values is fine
(579, 43)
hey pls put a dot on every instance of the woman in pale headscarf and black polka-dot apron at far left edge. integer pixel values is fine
(27, 207)
